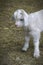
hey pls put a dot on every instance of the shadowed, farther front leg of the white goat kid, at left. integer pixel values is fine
(27, 39)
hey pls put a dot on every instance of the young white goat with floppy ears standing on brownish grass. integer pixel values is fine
(33, 26)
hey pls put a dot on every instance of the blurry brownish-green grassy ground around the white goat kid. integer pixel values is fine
(12, 38)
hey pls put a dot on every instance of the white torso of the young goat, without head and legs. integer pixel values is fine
(36, 21)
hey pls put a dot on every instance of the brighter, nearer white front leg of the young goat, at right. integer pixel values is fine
(36, 45)
